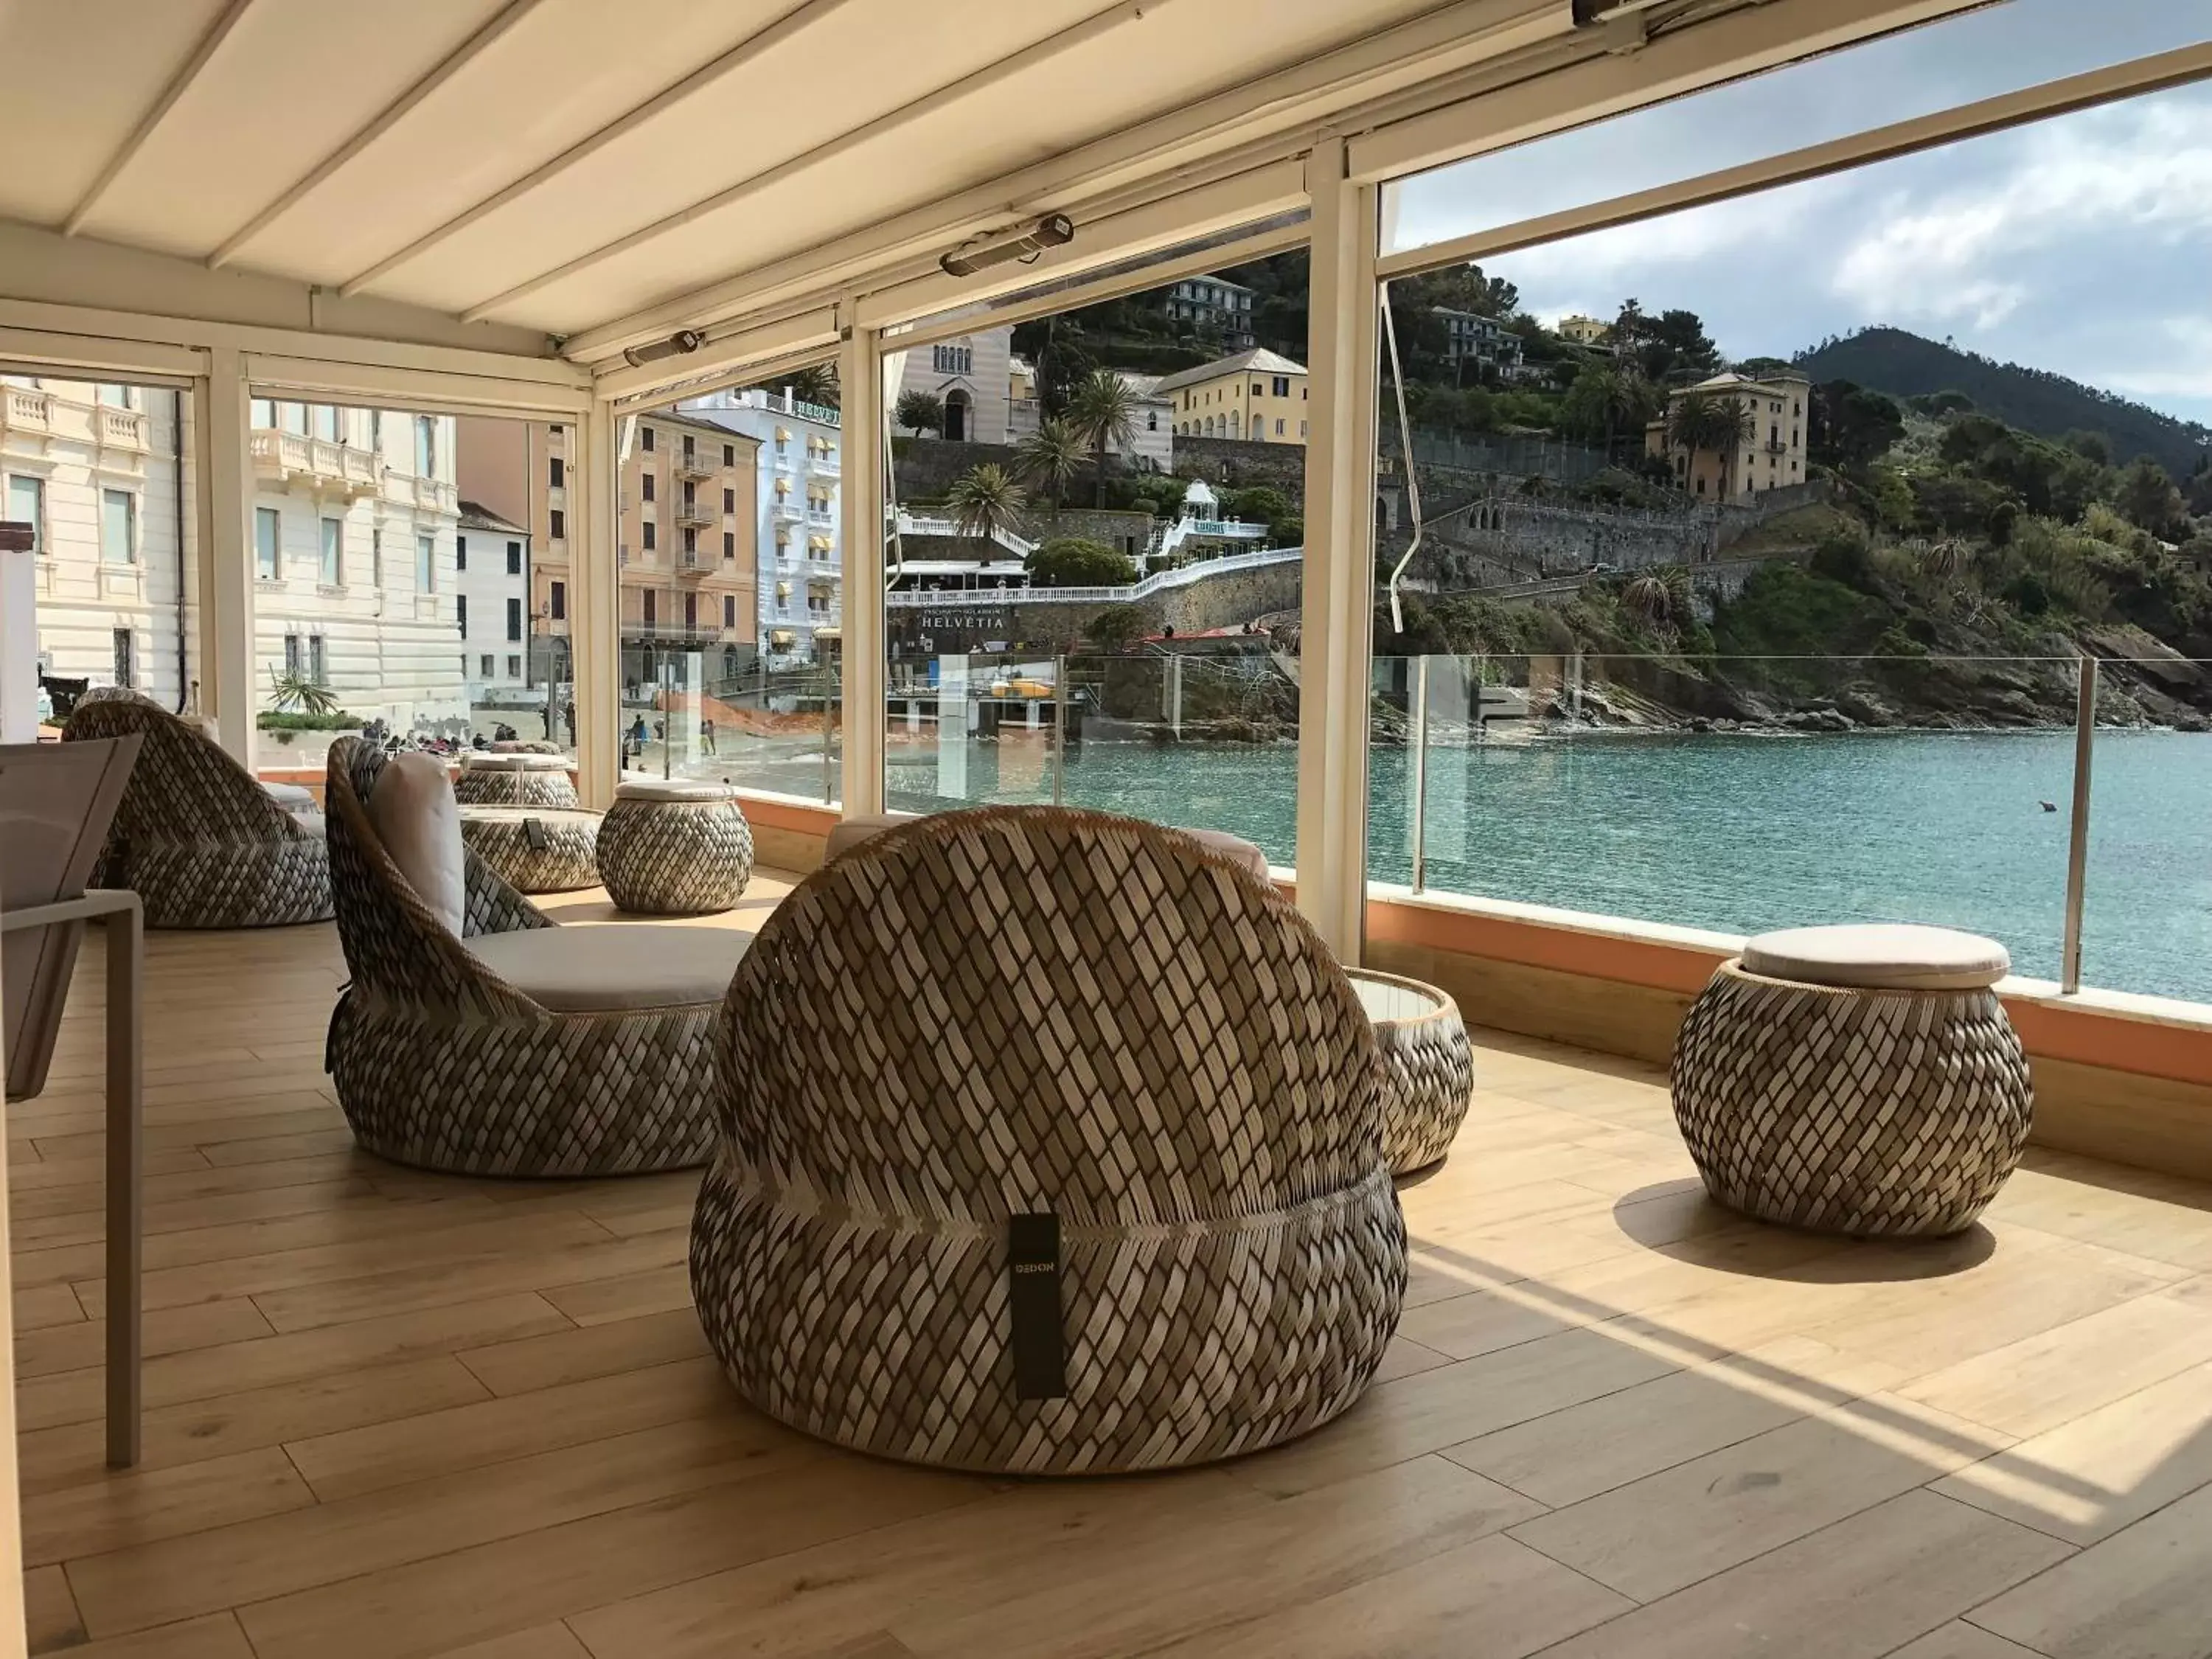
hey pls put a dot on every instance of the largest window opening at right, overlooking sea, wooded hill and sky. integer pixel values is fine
(1738, 567)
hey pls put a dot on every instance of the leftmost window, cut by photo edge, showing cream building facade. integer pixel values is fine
(105, 477)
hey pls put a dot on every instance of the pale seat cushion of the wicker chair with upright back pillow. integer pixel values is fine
(620, 968)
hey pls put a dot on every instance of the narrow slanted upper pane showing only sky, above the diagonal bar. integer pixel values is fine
(1919, 72)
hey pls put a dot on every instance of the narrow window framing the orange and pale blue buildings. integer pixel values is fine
(733, 587)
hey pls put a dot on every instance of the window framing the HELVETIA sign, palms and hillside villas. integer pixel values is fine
(1094, 556)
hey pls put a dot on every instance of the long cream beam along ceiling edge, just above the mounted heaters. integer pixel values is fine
(1271, 109)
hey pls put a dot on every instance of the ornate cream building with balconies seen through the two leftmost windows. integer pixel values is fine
(353, 545)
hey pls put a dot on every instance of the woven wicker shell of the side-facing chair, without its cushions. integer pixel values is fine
(446, 1065)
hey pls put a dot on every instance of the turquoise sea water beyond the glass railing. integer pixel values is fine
(1729, 833)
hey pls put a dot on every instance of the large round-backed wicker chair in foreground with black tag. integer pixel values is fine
(985, 1019)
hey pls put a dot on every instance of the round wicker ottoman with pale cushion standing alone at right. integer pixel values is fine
(1855, 1081)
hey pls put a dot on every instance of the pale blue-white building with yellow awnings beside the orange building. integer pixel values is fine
(800, 532)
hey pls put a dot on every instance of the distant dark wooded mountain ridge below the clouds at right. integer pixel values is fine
(2049, 406)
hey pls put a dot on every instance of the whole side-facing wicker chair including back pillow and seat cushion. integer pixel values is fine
(481, 1039)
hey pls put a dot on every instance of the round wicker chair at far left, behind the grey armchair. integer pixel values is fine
(196, 837)
